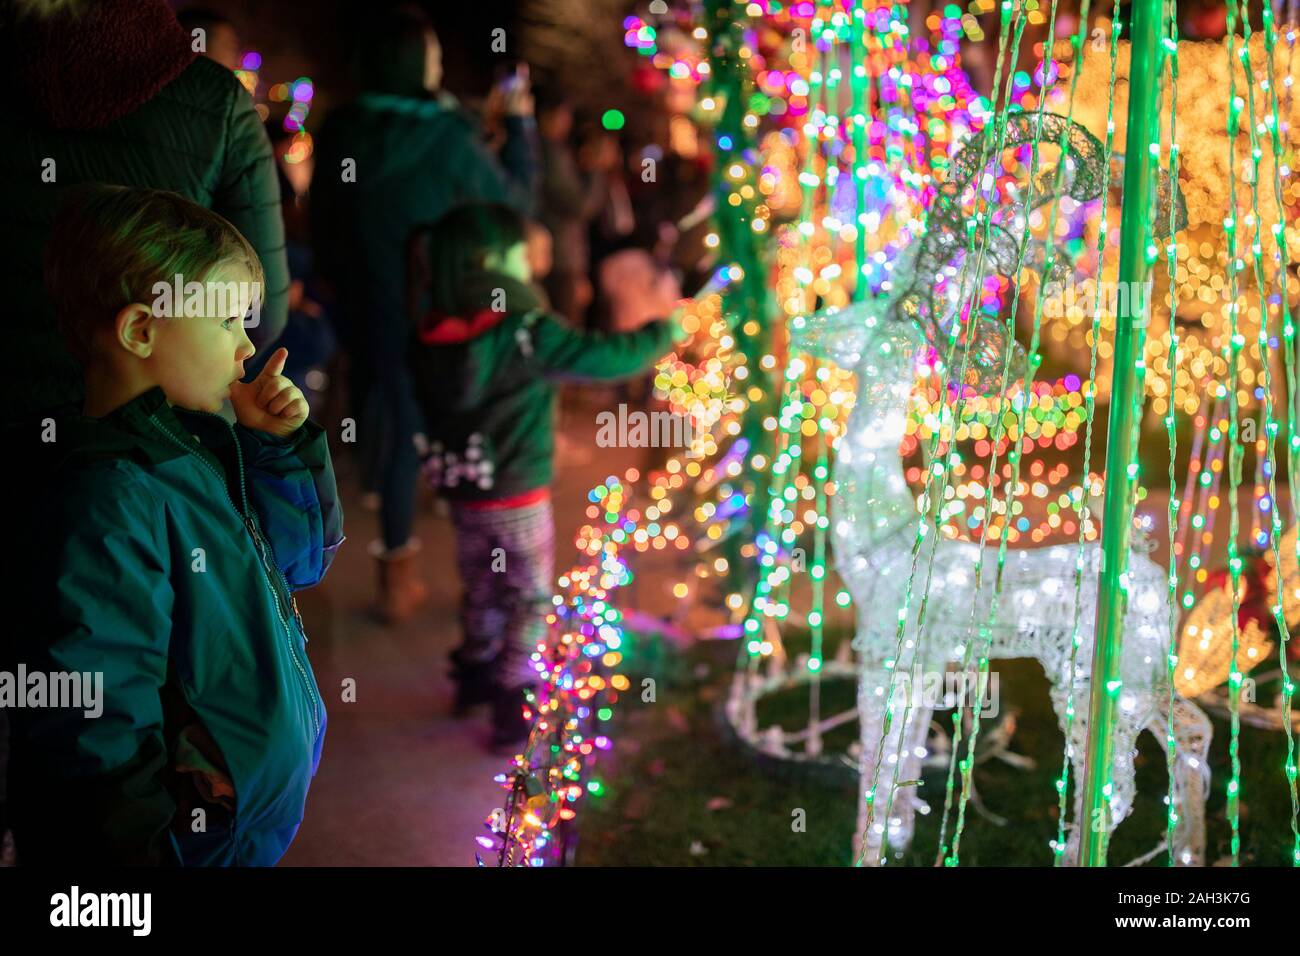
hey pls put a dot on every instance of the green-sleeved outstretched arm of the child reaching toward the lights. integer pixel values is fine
(567, 353)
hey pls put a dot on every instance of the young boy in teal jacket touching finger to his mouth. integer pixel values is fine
(171, 546)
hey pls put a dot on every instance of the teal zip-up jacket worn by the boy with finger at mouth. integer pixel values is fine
(171, 546)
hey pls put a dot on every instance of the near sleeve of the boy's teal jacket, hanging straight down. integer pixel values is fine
(97, 780)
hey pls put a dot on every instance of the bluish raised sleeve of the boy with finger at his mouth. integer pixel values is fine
(292, 488)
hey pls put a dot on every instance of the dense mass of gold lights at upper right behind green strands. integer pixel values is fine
(1201, 302)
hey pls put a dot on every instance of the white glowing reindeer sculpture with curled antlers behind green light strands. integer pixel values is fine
(876, 526)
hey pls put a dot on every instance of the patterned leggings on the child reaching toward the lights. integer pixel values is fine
(506, 560)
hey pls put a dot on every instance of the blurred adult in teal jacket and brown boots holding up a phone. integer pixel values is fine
(401, 154)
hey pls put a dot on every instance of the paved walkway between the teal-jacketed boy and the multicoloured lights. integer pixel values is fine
(401, 782)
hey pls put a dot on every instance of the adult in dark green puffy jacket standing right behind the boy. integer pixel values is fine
(111, 92)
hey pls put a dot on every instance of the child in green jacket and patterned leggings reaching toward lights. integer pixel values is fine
(486, 364)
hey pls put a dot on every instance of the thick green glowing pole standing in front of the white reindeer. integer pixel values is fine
(1136, 259)
